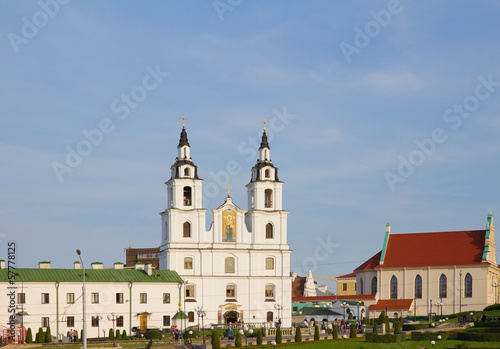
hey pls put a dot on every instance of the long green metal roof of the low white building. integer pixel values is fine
(91, 275)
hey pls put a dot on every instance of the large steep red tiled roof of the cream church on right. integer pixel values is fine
(430, 249)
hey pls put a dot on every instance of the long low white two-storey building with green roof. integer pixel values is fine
(141, 298)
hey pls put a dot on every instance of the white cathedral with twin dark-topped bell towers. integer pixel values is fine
(238, 270)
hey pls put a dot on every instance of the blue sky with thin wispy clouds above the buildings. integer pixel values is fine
(382, 111)
